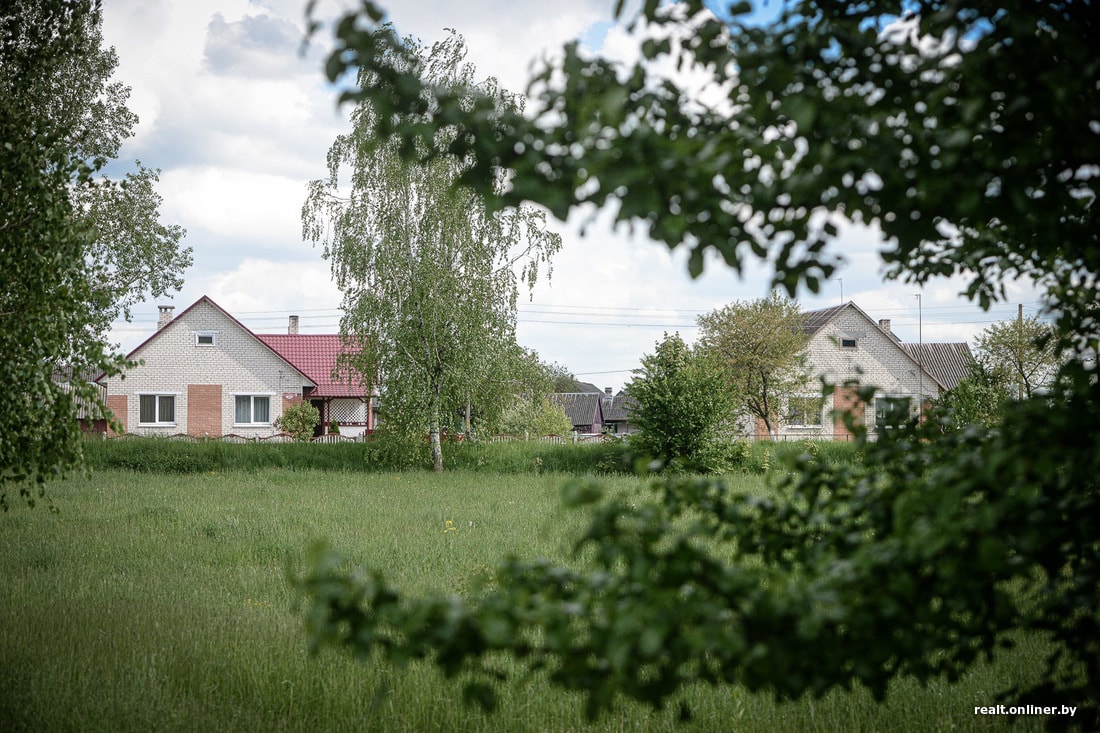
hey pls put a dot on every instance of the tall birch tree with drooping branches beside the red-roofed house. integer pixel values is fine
(431, 278)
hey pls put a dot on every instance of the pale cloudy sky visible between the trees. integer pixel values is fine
(238, 121)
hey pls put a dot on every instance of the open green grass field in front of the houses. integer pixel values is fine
(161, 604)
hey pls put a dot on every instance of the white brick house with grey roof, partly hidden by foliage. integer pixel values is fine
(846, 345)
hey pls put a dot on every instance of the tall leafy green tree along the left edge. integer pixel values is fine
(61, 122)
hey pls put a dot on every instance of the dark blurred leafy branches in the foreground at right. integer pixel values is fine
(931, 122)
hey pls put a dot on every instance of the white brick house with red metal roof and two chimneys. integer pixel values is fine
(205, 374)
